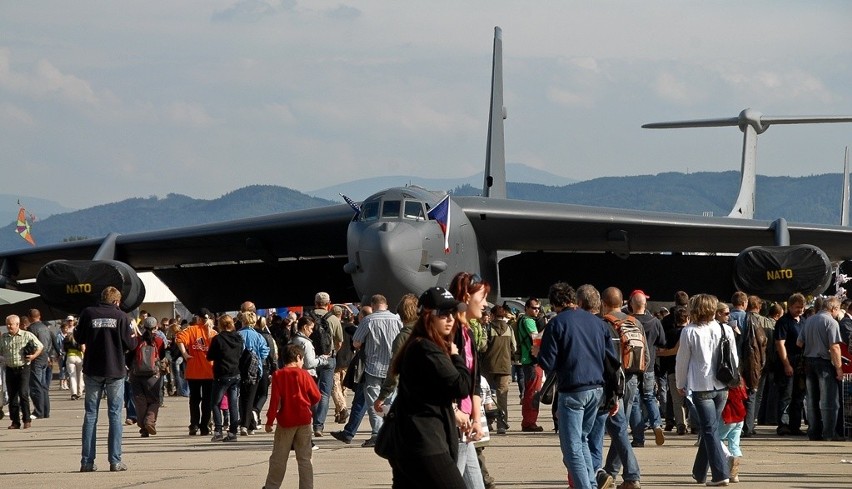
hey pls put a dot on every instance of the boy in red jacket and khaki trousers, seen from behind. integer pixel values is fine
(294, 392)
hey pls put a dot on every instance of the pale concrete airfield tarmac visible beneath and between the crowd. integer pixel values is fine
(48, 455)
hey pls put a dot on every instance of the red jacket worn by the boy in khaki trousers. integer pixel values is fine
(294, 391)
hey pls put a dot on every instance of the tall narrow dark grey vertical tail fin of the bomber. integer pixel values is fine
(495, 153)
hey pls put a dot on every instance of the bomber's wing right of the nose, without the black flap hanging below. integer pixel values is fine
(536, 226)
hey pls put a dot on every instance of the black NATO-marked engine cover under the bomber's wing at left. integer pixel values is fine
(72, 285)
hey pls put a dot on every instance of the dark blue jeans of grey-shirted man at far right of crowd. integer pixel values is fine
(822, 398)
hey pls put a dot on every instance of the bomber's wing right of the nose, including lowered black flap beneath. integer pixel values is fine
(658, 252)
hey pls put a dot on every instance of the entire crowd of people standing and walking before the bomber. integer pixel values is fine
(433, 376)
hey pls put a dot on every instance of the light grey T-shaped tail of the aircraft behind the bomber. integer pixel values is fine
(751, 123)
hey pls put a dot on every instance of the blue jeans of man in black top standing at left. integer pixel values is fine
(95, 388)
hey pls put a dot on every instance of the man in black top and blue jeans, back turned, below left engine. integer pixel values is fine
(106, 332)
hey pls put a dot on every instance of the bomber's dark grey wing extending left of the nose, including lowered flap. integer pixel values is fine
(278, 259)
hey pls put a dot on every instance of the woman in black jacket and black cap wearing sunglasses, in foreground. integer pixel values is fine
(421, 424)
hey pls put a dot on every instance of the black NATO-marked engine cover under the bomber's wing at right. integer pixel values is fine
(775, 272)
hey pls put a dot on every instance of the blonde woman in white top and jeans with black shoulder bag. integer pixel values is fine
(697, 359)
